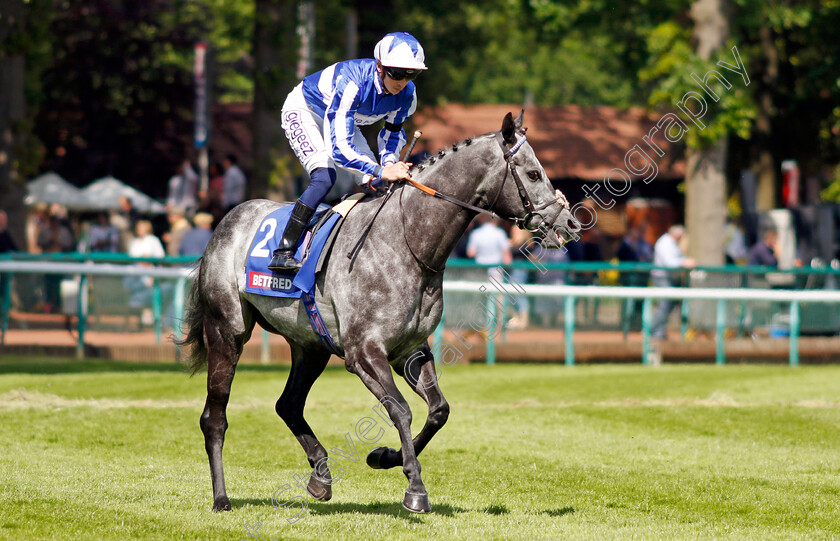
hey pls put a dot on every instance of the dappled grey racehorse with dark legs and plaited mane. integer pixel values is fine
(379, 309)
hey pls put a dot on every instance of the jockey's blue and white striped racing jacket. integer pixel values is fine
(350, 94)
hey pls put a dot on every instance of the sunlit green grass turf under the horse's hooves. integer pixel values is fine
(101, 450)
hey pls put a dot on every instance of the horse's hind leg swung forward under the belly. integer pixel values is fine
(307, 365)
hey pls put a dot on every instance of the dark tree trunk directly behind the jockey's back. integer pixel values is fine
(275, 58)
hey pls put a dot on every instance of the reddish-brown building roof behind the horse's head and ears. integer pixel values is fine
(570, 141)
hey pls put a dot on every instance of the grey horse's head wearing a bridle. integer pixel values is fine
(527, 197)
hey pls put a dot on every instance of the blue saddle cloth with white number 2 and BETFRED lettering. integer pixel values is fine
(310, 250)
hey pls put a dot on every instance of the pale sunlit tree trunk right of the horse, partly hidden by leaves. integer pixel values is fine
(705, 180)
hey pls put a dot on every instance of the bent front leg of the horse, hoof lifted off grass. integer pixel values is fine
(418, 369)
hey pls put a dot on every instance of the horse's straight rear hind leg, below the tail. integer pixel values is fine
(224, 349)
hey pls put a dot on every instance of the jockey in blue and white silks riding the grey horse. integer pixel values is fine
(321, 118)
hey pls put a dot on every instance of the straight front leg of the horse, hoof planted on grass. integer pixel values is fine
(370, 363)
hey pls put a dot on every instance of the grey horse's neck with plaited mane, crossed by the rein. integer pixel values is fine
(433, 226)
